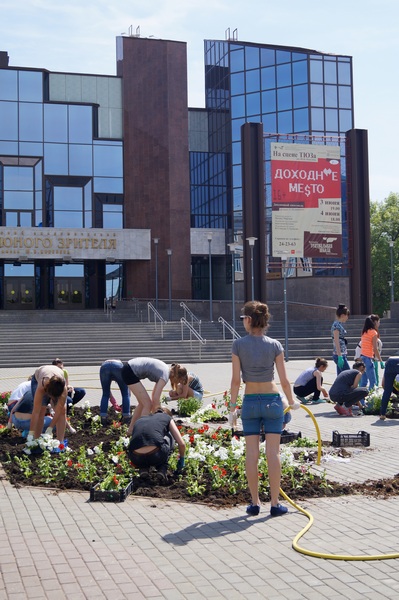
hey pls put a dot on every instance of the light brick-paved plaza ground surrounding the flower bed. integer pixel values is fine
(56, 545)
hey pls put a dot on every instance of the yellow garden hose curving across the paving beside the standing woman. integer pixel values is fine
(325, 555)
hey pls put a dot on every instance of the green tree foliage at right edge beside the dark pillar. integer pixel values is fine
(384, 222)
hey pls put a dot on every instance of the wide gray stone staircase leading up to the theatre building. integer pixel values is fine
(90, 337)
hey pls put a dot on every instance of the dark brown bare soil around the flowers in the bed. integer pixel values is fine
(12, 444)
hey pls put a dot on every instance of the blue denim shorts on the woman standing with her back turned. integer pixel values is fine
(262, 410)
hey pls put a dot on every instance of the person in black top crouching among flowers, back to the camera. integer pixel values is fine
(152, 442)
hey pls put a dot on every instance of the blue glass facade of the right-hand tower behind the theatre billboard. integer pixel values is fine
(290, 91)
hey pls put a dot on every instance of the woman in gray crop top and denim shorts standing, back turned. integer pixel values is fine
(254, 357)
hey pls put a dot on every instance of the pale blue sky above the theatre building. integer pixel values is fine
(80, 37)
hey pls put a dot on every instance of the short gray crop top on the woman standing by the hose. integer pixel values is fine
(257, 355)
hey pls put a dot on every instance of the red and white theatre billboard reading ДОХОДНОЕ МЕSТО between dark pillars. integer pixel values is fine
(306, 200)
